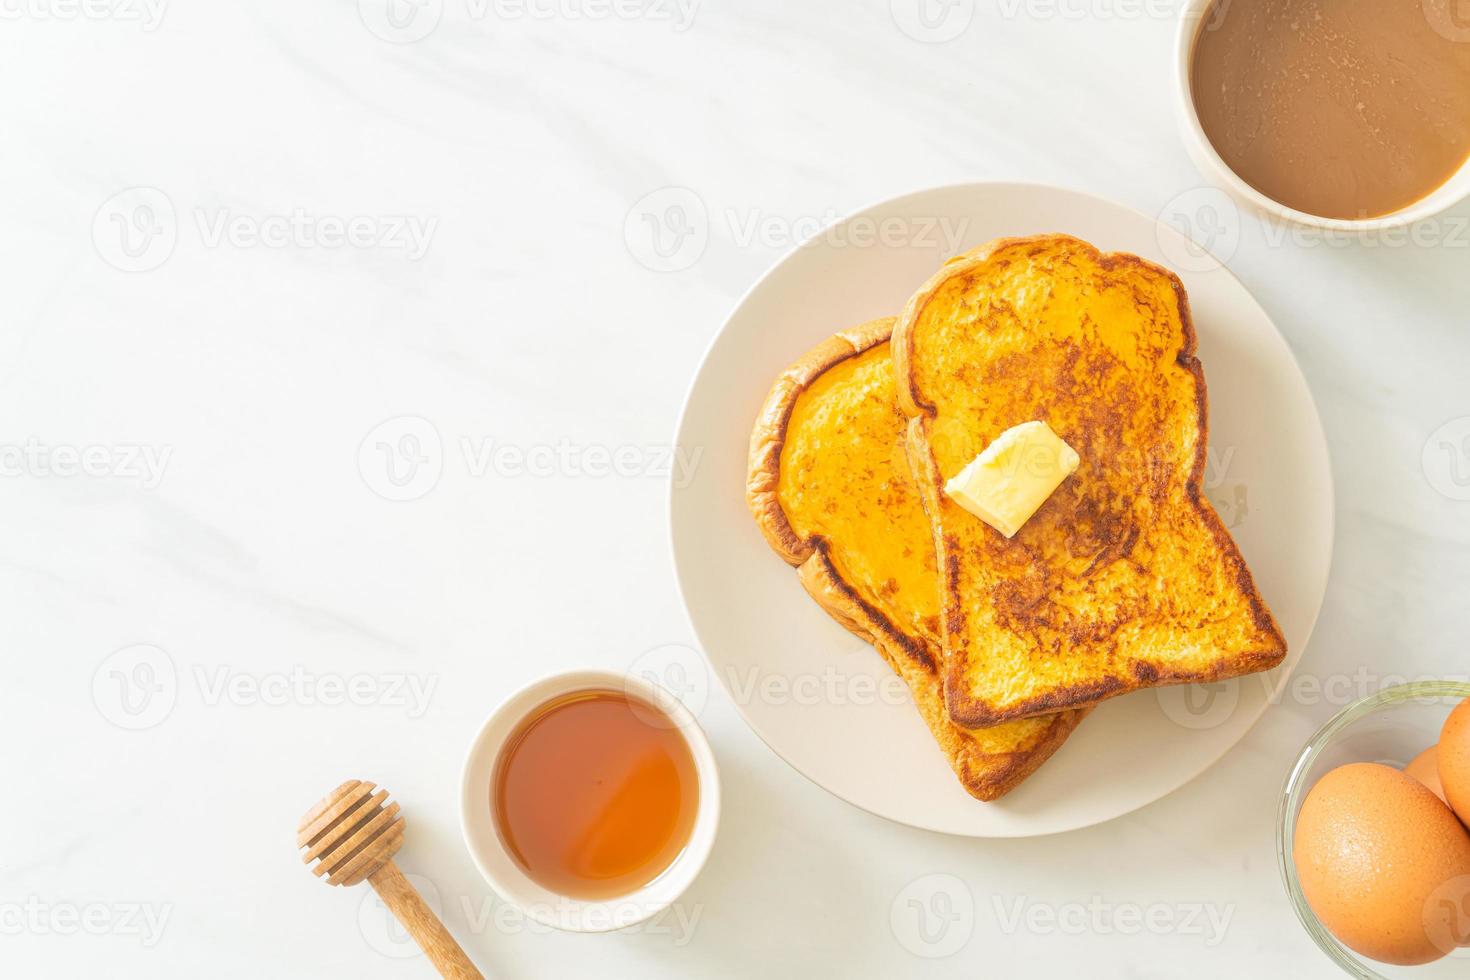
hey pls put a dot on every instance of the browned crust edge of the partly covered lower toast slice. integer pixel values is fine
(987, 777)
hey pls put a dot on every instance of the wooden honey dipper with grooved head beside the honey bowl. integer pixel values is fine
(354, 835)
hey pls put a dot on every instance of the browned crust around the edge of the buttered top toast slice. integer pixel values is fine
(968, 710)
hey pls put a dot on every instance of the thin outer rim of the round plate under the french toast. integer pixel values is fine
(1216, 267)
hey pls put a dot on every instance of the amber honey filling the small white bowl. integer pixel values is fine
(596, 794)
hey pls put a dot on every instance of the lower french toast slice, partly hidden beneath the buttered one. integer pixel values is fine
(833, 493)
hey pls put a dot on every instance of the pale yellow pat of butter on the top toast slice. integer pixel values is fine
(1015, 475)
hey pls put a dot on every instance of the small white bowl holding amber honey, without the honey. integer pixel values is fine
(502, 871)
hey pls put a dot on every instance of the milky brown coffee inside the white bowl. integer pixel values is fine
(1337, 108)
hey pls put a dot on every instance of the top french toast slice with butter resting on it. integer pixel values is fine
(1125, 578)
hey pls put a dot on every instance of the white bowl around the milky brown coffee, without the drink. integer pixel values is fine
(1194, 20)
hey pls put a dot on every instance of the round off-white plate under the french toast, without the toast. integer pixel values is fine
(818, 696)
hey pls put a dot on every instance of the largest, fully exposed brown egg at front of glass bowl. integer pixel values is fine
(1384, 865)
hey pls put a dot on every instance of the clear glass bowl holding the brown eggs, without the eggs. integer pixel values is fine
(1391, 728)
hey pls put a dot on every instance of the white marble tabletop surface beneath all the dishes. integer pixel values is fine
(517, 140)
